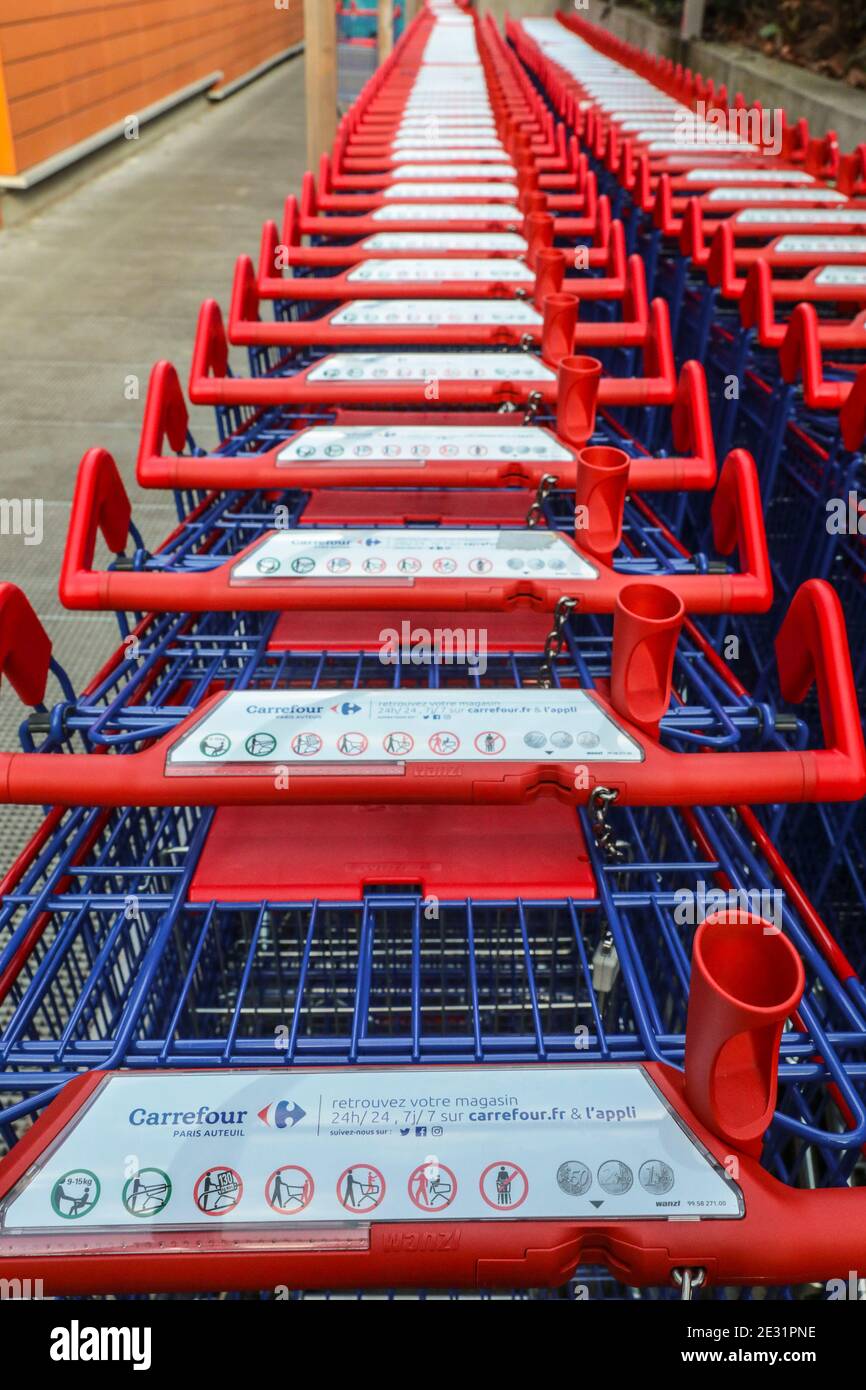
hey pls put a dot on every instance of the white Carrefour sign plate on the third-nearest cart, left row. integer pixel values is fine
(362, 554)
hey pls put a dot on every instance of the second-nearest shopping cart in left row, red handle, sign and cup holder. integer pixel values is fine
(657, 722)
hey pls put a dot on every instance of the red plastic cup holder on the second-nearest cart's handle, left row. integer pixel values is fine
(647, 625)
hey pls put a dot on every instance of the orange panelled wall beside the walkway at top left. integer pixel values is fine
(85, 65)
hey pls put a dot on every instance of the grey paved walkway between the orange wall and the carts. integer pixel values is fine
(99, 287)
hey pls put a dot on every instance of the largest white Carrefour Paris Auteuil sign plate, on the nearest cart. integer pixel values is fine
(281, 1147)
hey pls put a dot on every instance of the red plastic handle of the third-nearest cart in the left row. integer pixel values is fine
(101, 504)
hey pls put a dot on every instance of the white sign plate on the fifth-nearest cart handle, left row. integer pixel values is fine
(434, 366)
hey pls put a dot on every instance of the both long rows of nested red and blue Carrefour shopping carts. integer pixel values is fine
(454, 881)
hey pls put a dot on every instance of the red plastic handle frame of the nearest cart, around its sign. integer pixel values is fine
(787, 1236)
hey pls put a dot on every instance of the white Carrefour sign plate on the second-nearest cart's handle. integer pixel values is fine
(344, 729)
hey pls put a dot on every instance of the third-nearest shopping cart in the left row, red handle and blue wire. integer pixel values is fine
(248, 551)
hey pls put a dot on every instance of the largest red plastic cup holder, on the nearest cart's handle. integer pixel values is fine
(747, 979)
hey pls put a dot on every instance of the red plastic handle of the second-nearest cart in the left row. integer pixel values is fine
(661, 778)
